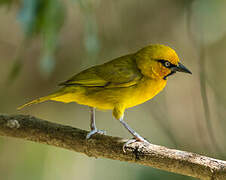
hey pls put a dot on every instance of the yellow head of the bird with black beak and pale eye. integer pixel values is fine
(159, 62)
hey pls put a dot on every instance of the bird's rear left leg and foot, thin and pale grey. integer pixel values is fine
(93, 127)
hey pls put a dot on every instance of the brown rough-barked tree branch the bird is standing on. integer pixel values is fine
(186, 163)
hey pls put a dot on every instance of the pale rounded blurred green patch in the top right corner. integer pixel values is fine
(208, 20)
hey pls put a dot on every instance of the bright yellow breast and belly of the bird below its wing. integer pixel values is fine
(107, 98)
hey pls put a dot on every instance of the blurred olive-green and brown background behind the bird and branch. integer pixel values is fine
(44, 42)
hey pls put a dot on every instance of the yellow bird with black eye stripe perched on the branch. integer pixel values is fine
(119, 84)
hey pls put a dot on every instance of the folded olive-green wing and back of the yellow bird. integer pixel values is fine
(120, 72)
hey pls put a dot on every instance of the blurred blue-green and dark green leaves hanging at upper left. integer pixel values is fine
(44, 18)
